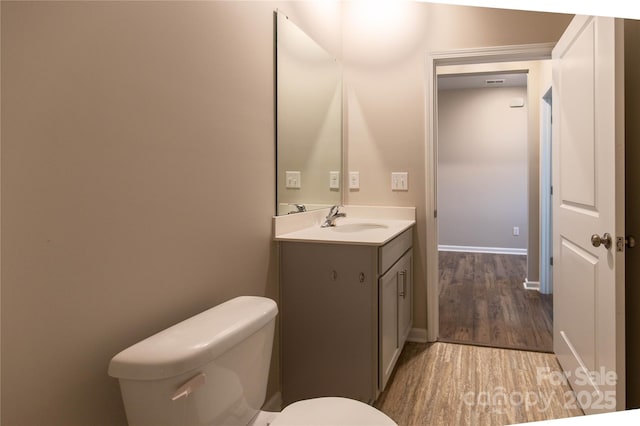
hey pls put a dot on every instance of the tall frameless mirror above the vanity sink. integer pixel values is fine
(309, 122)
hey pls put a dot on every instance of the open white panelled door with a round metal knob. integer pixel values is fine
(588, 178)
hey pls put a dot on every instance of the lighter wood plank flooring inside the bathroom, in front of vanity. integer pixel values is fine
(450, 384)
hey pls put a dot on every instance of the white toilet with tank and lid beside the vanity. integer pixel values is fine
(212, 369)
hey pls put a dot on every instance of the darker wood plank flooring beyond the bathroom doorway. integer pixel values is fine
(483, 302)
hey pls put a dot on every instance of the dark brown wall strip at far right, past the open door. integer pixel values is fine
(632, 216)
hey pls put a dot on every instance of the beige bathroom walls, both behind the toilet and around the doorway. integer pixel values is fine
(122, 122)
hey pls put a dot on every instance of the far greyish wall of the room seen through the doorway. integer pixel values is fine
(482, 168)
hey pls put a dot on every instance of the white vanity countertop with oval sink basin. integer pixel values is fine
(362, 231)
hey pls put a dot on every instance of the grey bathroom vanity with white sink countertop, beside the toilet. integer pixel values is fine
(345, 306)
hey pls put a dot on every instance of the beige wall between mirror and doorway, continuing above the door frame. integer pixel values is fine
(384, 56)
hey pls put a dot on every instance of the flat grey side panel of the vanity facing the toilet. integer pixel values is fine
(329, 314)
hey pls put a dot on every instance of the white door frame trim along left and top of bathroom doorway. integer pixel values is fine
(528, 52)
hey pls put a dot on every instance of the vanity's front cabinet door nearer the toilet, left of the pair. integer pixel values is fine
(388, 323)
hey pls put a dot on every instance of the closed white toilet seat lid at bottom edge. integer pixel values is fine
(331, 411)
